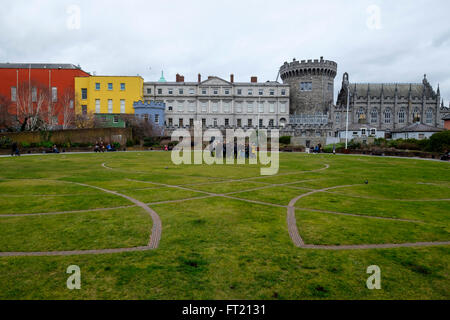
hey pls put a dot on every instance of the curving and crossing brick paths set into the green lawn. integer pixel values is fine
(156, 231)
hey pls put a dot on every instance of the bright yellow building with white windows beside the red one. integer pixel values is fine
(107, 94)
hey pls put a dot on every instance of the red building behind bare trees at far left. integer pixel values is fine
(38, 93)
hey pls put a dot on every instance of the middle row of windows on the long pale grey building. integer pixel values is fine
(226, 108)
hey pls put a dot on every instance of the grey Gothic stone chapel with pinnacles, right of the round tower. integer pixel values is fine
(388, 107)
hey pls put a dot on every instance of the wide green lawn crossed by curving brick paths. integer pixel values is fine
(221, 248)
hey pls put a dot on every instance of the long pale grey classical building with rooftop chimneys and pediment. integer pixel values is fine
(221, 104)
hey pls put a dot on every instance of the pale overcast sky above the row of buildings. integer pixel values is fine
(374, 41)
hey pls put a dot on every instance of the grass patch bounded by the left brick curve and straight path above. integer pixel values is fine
(120, 228)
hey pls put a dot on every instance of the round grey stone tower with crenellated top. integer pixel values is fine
(312, 85)
